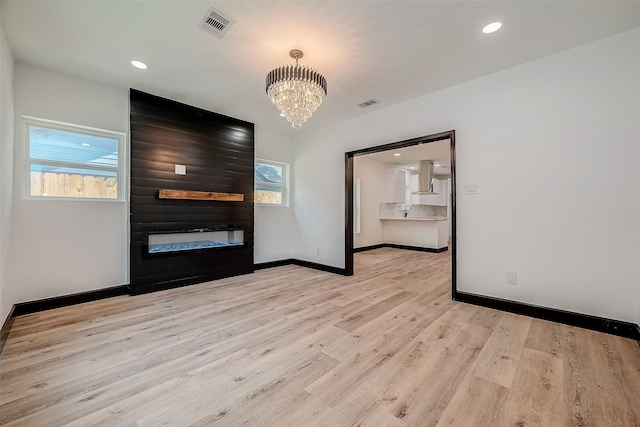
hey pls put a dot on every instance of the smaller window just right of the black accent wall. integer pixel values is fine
(271, 183)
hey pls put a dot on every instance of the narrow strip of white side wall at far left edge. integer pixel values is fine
(6, 174)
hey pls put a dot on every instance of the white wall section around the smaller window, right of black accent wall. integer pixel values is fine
(273, 224)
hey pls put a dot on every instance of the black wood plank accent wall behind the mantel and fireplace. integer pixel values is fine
(218, 152)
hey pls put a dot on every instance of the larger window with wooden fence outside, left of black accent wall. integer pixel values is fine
(69, 161)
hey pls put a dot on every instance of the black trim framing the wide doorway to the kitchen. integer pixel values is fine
(349, 194)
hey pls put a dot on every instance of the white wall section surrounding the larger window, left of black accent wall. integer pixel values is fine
(65, 247)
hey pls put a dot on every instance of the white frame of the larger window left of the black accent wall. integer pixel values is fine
(120, 169)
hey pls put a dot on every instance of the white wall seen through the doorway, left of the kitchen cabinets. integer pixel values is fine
(375, 181)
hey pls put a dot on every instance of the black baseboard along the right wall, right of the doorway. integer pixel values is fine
(600, 324)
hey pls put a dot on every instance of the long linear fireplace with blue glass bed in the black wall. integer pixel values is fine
(197, 239)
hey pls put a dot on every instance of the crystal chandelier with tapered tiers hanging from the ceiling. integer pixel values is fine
(296, 90)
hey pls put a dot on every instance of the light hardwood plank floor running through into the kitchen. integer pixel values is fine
(291, 346)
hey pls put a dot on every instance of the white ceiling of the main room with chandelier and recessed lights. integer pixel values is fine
(390, 51)
